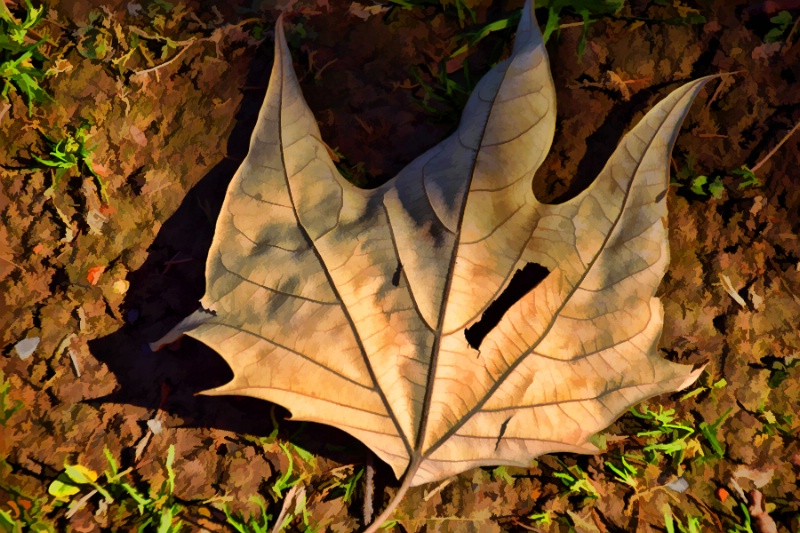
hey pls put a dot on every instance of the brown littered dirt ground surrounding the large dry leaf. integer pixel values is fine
(167, 120)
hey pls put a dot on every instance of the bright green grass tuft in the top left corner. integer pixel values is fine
(18, 70)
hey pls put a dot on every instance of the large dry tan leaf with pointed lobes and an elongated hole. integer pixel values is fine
(349, 307)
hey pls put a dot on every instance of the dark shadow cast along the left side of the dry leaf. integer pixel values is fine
(168, 286)
